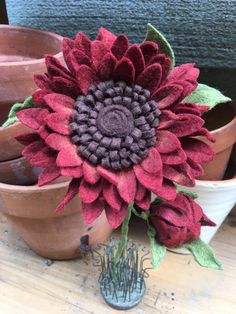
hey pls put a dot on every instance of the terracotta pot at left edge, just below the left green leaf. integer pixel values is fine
(9, 147)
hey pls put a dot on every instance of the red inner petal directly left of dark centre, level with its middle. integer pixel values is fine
(58, 123)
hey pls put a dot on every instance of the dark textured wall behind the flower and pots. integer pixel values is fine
(199, 31)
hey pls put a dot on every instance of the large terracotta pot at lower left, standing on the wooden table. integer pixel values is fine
(30, 209)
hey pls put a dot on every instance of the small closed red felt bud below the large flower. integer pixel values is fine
(178, 222)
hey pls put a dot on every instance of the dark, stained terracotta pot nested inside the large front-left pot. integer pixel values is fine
(19, 172)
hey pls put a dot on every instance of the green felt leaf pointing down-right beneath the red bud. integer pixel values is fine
(203, 254)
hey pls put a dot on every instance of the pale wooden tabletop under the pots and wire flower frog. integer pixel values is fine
(30, 285)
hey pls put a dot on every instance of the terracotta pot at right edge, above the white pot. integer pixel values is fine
(222, 122)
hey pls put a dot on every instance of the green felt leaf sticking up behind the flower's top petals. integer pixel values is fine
(164, 47)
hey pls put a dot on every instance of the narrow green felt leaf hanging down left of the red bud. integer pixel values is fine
(158, 251)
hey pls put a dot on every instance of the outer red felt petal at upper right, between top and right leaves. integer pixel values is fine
(185, 72)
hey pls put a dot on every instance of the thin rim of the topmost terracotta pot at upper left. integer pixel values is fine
(36, 31)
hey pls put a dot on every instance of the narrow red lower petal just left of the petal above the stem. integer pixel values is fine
(112, 196)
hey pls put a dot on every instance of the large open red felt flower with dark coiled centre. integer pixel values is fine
(114, 120)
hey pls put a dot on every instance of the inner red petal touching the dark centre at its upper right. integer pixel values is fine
(167, 95)
